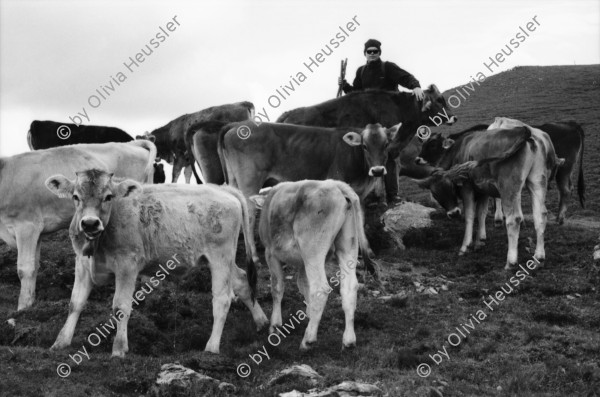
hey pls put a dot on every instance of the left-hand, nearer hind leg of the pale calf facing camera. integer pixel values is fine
(221, 292)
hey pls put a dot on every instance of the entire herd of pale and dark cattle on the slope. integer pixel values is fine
(322, 162)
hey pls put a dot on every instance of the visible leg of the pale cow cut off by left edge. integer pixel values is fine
(27, 237)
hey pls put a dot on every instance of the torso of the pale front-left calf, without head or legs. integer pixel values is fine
(171, 218)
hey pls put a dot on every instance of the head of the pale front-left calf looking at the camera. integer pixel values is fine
(92, 192)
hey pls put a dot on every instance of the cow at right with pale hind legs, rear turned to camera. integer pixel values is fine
(509, 159)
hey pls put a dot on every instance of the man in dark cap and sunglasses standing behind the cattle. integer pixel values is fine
(387, 76)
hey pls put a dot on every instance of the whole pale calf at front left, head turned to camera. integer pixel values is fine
(123, 229)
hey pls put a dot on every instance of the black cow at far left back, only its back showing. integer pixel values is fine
(49, 134)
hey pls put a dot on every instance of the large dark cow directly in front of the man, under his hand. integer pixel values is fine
(386, 108)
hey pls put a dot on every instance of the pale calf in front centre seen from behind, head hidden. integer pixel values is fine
(302, 224)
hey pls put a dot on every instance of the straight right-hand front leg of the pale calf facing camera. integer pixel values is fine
(124, 289)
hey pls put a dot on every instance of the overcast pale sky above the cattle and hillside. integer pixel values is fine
(55, 54)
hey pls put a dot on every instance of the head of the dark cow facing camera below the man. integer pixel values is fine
(375, 141)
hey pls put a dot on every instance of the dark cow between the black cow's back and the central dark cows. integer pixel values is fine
(171, 139)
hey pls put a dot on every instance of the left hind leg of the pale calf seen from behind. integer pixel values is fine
(318, 291)
